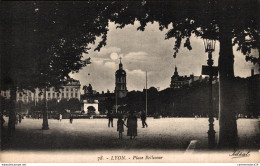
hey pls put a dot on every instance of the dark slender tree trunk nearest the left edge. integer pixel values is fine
(12, 117)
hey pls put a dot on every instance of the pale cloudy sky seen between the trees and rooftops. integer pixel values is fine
(147, 51)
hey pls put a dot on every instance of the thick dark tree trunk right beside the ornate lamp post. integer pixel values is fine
(228, 138)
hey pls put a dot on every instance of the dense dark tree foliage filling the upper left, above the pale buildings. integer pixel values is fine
(42, 42)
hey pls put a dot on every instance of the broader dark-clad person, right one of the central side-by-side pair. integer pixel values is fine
(132, 125)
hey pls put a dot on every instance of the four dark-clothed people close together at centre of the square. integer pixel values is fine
(131, 124)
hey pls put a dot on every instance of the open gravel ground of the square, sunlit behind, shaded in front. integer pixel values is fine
(94, 134)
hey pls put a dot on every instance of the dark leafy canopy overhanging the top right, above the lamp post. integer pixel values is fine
(202, 18)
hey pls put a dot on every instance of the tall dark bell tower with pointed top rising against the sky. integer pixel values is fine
(120, 88)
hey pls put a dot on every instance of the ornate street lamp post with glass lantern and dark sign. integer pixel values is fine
(210, 70)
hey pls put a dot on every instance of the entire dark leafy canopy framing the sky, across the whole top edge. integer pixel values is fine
(45, 40)
